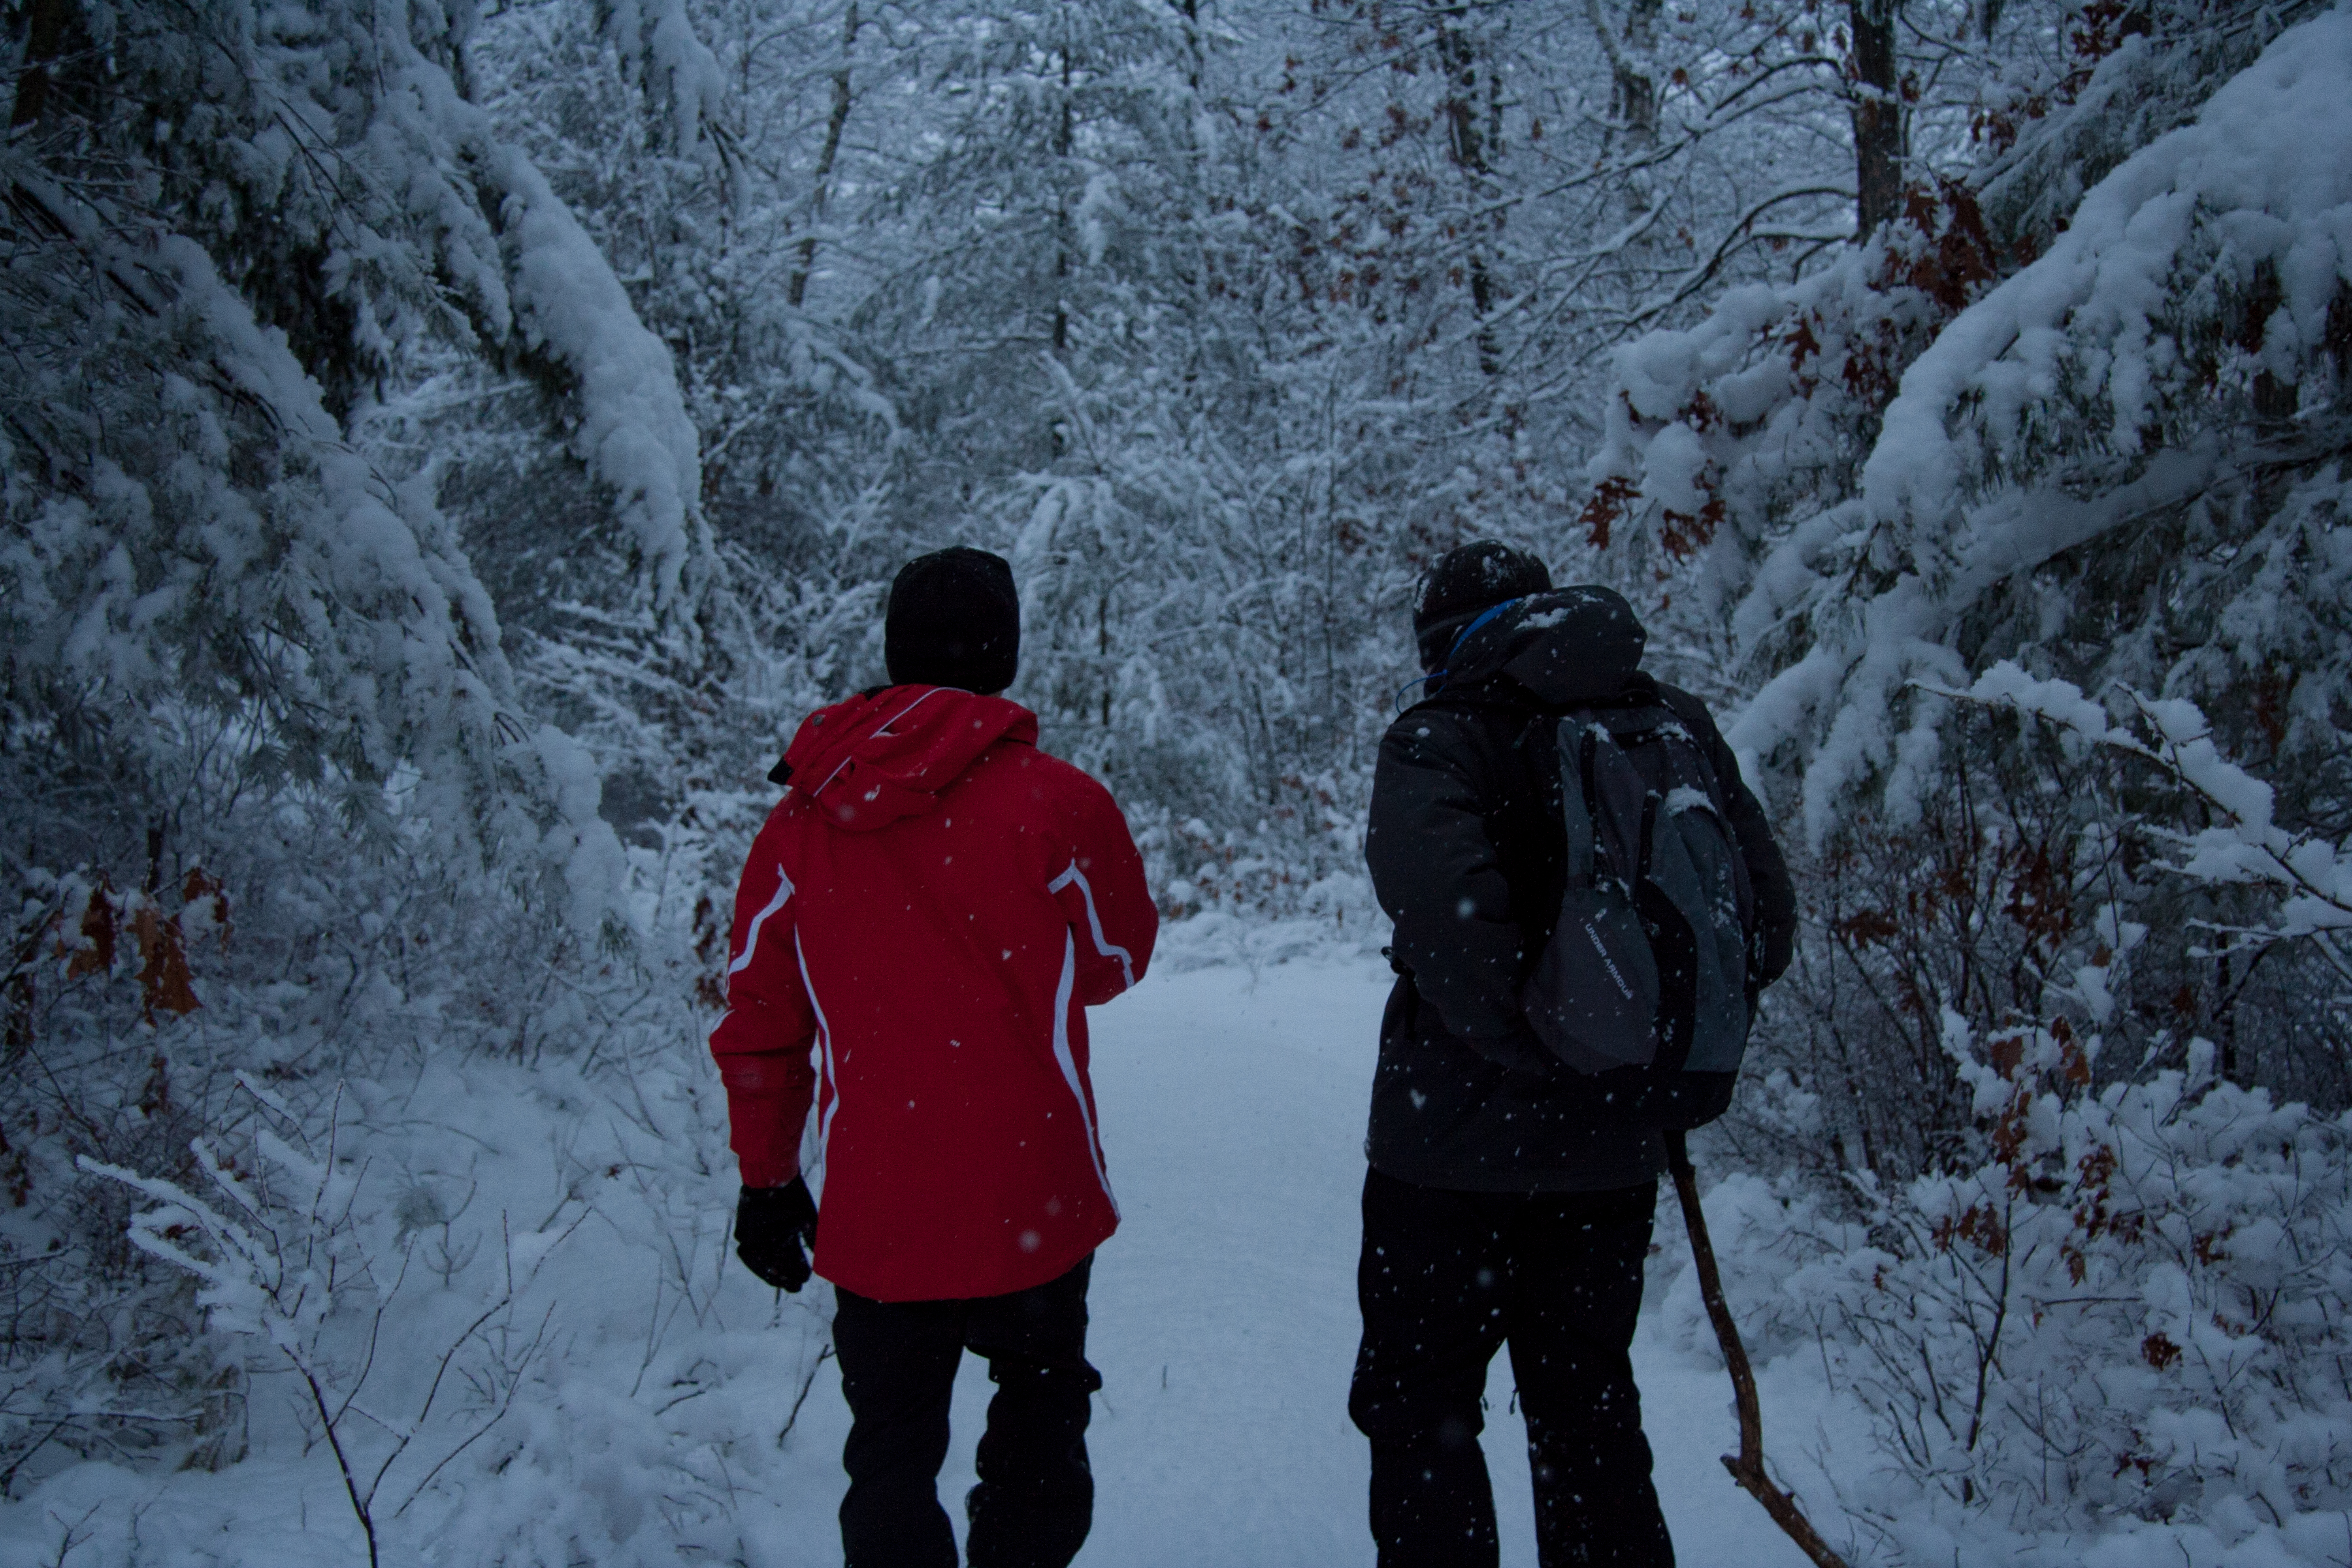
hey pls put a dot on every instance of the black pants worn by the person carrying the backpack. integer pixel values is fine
(1443, 1282)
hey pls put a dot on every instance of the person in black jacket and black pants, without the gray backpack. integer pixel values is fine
(1504, 1200)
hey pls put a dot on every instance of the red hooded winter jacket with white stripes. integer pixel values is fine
(933, 906)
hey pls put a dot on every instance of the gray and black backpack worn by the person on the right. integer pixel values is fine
(1645, 977)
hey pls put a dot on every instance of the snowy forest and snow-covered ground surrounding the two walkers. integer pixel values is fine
(448, 445)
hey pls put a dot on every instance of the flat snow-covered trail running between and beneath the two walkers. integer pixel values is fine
(1224, 1311)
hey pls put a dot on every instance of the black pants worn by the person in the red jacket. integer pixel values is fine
(1036, 1496)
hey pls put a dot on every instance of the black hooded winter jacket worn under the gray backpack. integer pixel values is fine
(1469, 859)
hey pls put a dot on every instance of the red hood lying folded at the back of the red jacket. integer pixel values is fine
(881, 758)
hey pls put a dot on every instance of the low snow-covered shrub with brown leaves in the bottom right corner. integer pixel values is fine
(2132, 1311)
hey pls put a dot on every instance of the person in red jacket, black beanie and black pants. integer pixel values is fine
(921, 930)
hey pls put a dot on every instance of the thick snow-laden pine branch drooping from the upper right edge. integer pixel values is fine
(2163, 375)
